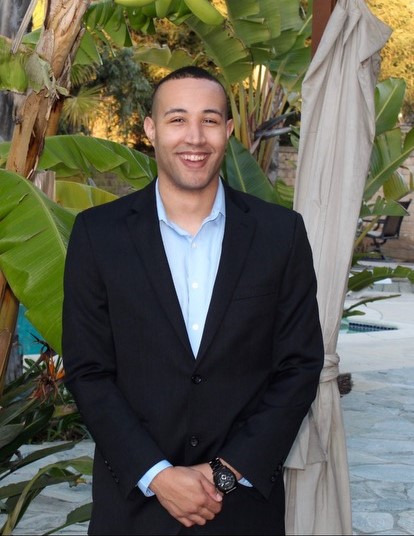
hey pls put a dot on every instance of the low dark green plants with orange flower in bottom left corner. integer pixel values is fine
(26, 407)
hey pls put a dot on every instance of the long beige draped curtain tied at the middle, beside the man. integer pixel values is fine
(337, 133)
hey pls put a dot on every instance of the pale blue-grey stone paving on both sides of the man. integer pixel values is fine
(379, 423)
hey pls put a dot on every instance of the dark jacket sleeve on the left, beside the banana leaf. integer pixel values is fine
(90, 367)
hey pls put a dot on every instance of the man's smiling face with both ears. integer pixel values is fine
(189, 131)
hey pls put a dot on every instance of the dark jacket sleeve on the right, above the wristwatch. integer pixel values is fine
(259, 448)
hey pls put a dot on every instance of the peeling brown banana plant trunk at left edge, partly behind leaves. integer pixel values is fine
(58, 44)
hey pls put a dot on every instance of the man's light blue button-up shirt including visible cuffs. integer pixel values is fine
(193, 262)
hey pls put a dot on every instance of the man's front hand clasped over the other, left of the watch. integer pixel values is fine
(187, 495)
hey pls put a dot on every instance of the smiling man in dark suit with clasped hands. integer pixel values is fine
(191, 335)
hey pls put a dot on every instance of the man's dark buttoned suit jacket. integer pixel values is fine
(144, 396)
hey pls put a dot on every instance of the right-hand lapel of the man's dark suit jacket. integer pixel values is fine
(238, 235)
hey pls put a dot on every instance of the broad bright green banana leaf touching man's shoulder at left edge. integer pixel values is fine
(34, 233)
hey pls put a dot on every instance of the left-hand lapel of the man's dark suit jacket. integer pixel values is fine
(143, 225)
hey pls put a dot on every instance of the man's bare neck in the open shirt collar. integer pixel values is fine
(188, 208)
